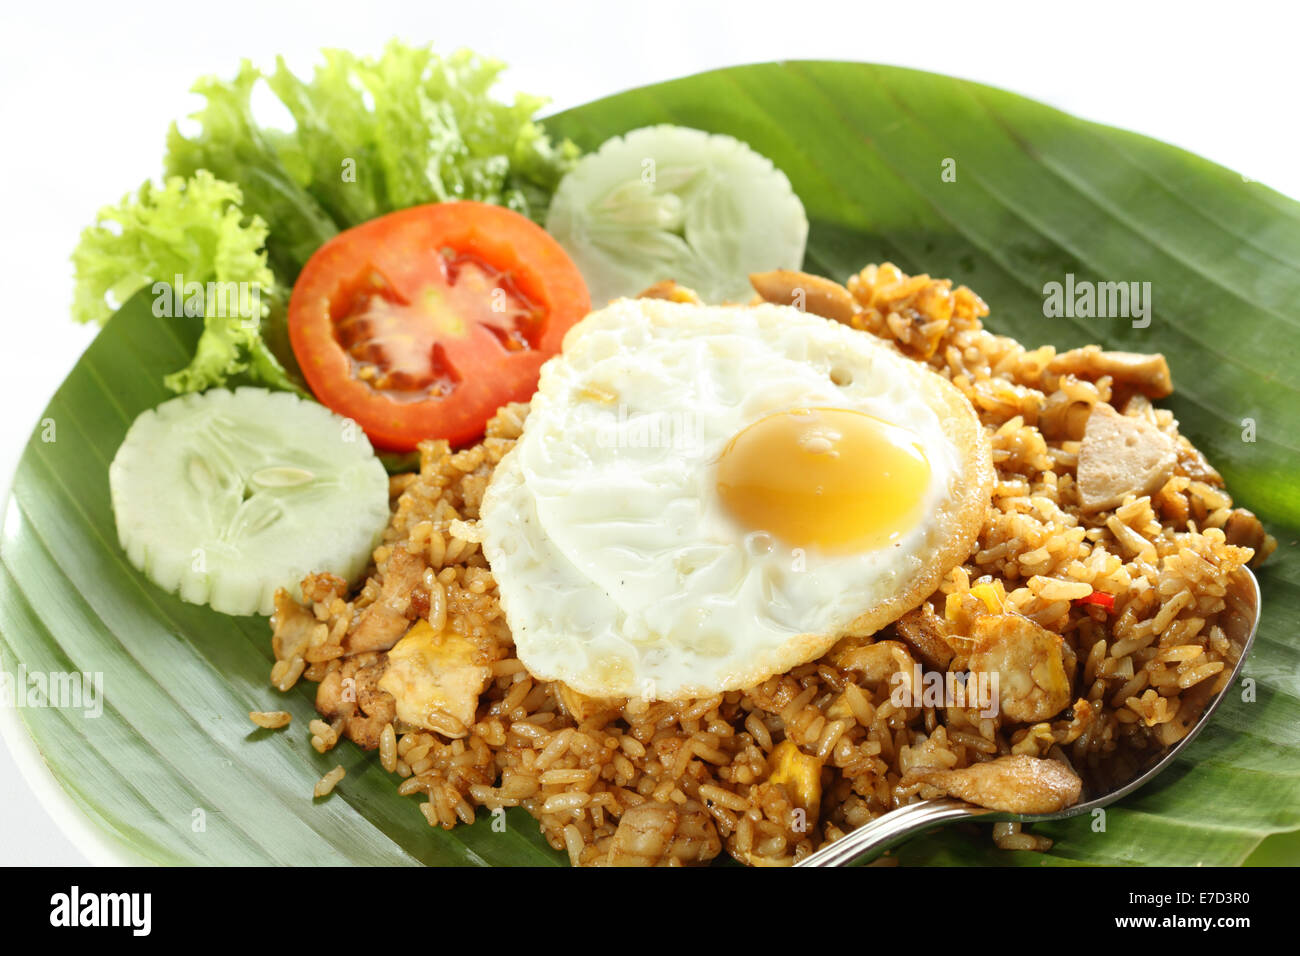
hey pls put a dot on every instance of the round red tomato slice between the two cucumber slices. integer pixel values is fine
(423, 323)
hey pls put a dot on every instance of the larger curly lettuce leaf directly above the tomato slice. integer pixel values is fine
(371, 136)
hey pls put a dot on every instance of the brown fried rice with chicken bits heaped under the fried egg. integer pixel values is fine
(769, 775)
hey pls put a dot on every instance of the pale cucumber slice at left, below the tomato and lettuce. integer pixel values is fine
(227, 496)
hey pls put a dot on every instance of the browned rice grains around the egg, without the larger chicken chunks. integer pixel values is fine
(1146, 669)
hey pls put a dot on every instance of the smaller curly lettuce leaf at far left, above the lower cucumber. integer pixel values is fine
(192, 243)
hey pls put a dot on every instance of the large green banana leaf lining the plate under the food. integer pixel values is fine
(1038, 194)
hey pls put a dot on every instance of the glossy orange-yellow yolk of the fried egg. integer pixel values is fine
(827, 478)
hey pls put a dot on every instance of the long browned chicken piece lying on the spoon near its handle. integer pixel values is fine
(1016, 784)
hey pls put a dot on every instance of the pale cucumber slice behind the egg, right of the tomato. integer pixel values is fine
(670, 202)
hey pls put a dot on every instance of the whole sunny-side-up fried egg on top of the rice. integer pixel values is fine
(704, 498)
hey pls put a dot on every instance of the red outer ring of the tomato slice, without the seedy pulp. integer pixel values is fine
(405, 248)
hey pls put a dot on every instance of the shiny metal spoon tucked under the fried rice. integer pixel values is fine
(1240, 622)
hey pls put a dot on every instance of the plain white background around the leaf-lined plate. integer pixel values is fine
(89, 92)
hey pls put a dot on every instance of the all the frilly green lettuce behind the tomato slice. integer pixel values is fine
(249, 204)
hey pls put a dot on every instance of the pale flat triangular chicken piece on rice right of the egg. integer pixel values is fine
(1121, 456)
